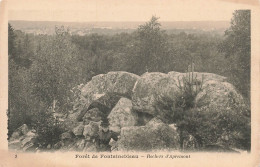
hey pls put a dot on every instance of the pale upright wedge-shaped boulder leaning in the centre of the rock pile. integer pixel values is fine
(122, 115)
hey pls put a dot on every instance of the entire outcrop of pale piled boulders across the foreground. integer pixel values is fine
(129, 102)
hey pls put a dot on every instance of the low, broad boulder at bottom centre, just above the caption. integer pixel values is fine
(155, 135)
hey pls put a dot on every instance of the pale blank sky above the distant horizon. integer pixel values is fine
(121, 10)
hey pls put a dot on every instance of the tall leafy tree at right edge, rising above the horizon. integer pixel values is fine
(237, 48)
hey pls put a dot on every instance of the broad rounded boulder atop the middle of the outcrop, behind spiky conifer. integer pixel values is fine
(153, 86)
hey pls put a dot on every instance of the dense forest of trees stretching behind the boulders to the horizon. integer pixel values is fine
(43, 69)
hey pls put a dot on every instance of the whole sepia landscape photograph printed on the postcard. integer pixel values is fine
(116, 78)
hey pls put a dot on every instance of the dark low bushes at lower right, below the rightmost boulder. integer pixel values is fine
(226, 128)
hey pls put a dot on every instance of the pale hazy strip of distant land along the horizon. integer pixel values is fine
(110, 28)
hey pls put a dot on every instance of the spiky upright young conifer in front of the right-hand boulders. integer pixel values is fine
(185, 118)
